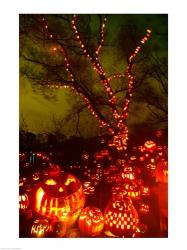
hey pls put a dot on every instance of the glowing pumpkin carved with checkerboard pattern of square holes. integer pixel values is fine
(121, 217)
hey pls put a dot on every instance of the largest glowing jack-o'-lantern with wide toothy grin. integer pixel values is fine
(60, 198)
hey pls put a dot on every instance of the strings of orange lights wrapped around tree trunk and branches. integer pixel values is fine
(121, 137)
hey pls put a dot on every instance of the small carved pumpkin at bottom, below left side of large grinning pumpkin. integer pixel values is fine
(40, 228)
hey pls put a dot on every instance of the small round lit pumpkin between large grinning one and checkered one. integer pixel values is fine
(91, 221)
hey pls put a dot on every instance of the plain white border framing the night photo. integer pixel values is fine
(10, 113)
